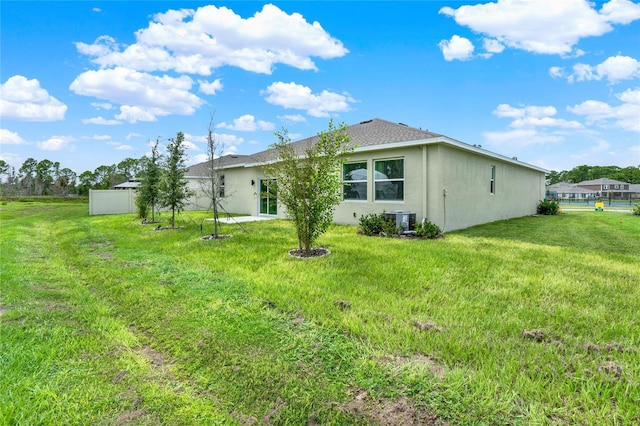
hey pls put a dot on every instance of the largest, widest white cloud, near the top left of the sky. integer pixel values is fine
(198, 41)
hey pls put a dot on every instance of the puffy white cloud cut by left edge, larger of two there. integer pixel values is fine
(23, 99)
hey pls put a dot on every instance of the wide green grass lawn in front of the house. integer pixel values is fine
(527, 321)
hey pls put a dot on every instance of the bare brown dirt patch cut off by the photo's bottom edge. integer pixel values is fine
(386, 412)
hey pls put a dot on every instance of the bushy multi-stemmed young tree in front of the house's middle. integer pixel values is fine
(309, 184)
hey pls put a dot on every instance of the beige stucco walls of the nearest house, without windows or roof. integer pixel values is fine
(429, 170)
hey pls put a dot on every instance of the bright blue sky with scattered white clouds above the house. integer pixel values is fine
(554, 83)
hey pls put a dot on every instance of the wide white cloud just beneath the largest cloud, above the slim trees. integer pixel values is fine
(143, 97)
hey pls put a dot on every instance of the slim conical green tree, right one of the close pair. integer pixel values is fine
(174, 189)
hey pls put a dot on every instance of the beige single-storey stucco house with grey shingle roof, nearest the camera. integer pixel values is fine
(396, 167)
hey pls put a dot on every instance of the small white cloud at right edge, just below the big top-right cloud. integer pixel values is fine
(614, 69)
